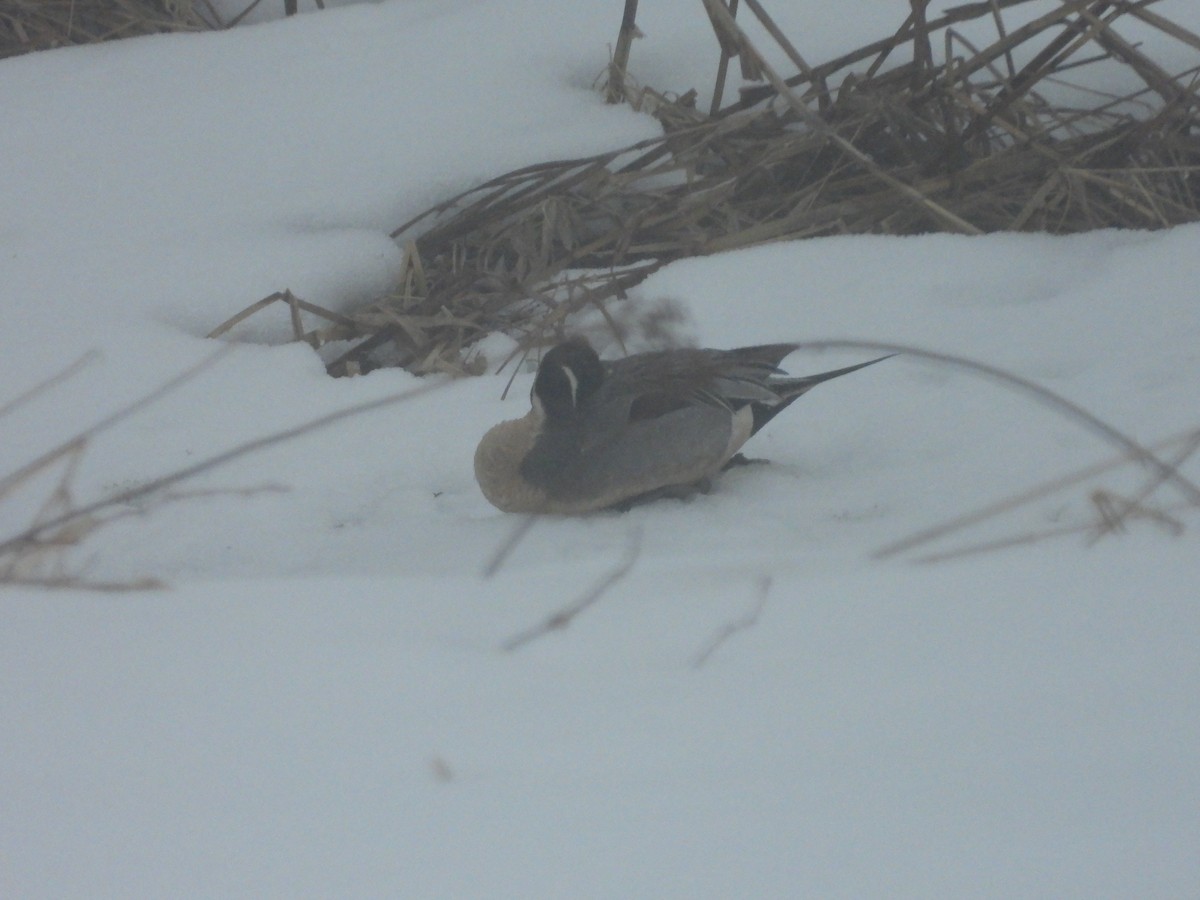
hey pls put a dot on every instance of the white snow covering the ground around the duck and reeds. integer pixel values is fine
(320, 704)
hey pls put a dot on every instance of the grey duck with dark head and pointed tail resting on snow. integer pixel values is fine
(615, 434)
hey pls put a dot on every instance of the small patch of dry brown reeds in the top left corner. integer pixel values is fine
(45, 25)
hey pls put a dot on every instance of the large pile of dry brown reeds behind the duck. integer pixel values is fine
(885, 140)
